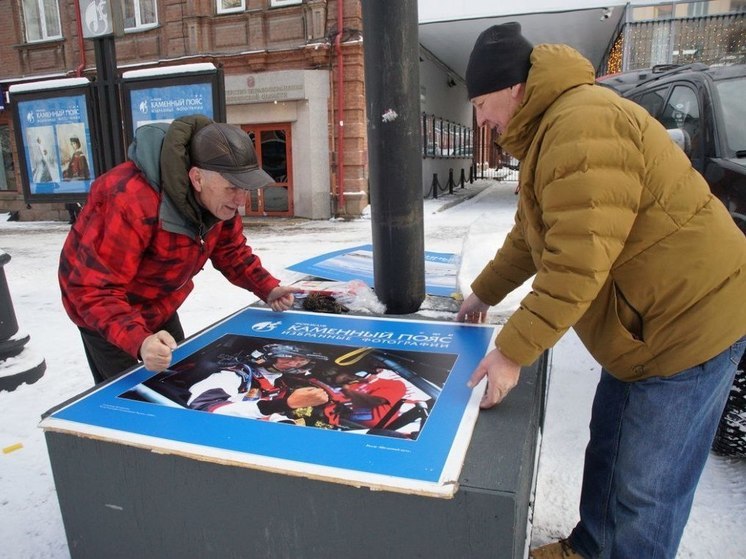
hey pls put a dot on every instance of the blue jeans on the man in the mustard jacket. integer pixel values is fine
(649, 443)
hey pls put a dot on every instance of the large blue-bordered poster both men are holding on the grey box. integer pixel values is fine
(362, 400)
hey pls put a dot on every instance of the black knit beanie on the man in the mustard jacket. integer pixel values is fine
(501, 58)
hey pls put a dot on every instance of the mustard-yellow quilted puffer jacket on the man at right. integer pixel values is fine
(627, 244)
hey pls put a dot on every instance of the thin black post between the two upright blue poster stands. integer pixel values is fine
(107, 96)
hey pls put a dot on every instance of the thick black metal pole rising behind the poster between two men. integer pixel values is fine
(392, 91)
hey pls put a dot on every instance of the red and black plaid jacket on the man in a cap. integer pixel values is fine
(122, 275)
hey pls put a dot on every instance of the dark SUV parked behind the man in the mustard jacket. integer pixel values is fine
(704, 109)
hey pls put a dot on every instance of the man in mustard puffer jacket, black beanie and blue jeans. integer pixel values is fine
(629, 247)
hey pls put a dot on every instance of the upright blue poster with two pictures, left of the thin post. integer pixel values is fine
(57, 138)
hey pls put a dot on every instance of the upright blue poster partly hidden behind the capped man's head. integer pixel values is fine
(164, 104)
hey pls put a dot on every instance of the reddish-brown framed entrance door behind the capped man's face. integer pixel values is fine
(273, 150)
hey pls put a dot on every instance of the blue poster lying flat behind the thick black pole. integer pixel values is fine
(441, 268)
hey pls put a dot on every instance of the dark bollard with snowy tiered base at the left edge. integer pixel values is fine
(16, 365)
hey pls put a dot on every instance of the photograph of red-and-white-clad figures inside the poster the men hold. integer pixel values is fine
(345, 388)
